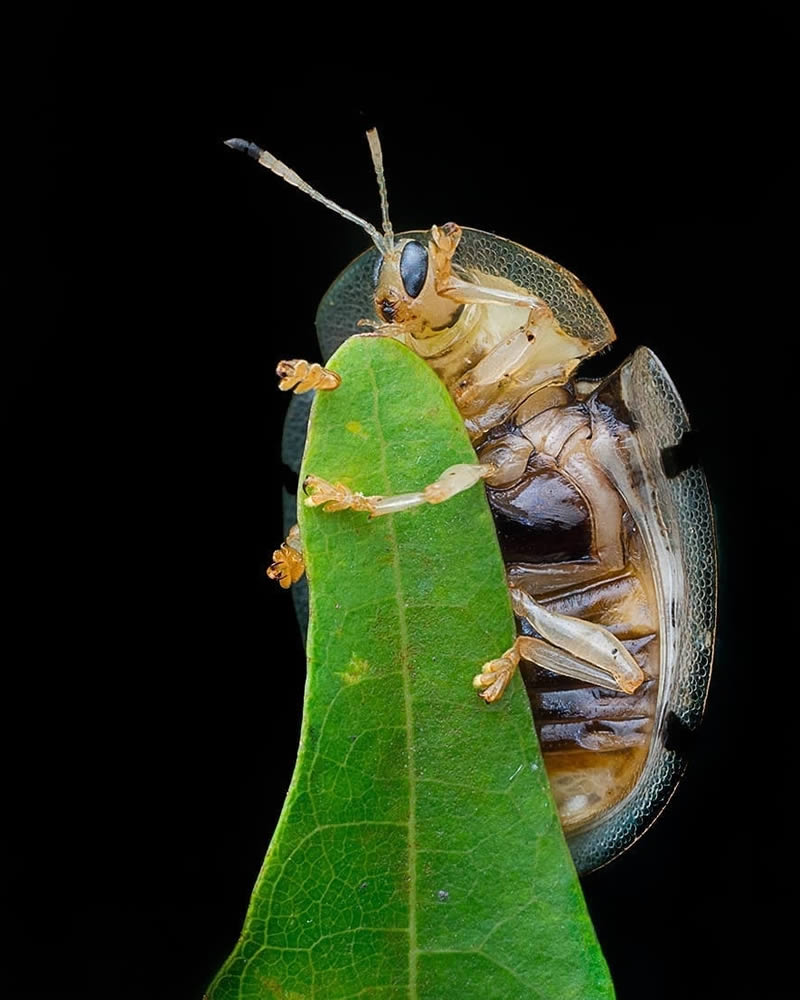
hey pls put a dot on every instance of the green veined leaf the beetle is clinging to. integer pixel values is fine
(419, 853)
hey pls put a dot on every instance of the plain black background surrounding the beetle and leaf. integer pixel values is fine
(156, 675)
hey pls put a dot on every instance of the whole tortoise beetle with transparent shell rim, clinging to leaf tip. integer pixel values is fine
(607, 535)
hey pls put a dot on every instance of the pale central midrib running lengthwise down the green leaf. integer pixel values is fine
(409, 711)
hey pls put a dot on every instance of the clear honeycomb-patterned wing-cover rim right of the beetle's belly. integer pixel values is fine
(680, 537)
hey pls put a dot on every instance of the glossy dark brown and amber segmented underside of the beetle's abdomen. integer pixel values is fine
(594, 740)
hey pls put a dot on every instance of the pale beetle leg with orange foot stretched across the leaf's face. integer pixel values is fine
(336, 496)
